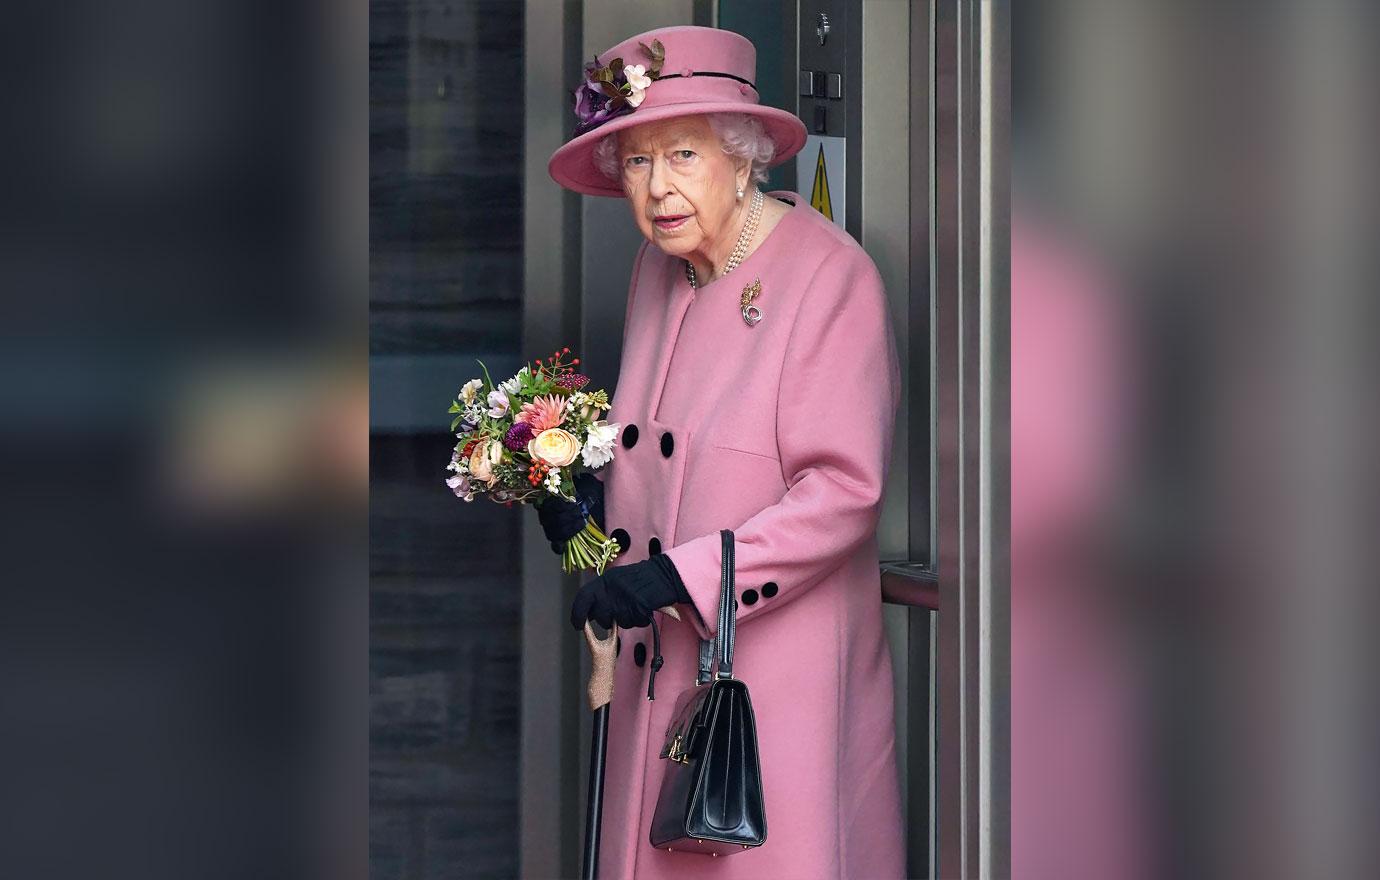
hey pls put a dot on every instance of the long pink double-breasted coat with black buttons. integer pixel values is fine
(783, 434)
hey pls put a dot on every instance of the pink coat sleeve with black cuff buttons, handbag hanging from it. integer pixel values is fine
(841, 386)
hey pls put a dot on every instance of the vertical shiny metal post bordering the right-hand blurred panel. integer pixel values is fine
(972, 311)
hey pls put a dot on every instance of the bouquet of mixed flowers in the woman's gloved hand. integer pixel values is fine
(525, 439)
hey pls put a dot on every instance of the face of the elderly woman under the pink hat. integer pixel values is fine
(681, 186)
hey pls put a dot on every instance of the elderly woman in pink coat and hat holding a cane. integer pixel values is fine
(764, 403)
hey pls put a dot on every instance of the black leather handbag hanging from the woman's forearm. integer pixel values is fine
(711, 792)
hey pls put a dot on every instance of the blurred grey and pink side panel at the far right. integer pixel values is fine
(1194, 656)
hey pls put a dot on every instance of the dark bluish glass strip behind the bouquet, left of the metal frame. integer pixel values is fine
(446, 150)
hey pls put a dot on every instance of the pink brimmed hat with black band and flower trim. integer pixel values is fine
(688, 71)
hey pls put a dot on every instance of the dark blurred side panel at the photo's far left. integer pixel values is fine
(183, 432)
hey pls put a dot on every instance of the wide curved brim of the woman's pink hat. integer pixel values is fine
(573, 165)
